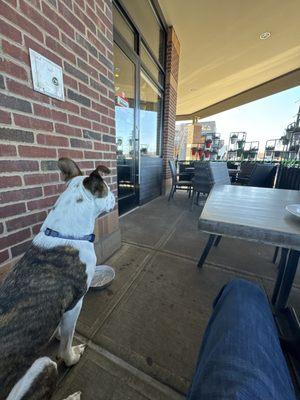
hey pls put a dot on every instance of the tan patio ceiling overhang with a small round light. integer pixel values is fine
(222, 56)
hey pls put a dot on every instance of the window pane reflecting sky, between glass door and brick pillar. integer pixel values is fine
(150, 118)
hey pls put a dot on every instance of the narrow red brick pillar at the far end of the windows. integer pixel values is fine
(172, 67)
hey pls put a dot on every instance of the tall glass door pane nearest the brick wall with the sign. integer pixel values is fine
(126, 132)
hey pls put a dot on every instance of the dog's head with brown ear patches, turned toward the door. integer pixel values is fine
(88, 188)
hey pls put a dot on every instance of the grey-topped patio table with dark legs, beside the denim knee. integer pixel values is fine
(259, 215)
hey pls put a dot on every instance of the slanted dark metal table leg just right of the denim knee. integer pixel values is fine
(287, 280)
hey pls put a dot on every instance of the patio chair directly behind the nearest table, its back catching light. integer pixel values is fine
(207, 175)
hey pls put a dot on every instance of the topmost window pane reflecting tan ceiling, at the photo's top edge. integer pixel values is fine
(145, 18)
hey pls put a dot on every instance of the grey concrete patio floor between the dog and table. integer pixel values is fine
(143, 332)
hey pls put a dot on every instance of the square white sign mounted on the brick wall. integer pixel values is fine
(47, 76)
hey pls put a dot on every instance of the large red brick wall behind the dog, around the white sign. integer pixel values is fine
(35, 130)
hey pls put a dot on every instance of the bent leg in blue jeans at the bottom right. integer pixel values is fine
(240, 356)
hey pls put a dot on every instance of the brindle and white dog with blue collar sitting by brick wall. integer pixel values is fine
(45, 289)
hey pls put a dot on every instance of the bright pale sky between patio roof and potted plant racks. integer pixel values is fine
(262, 119)
